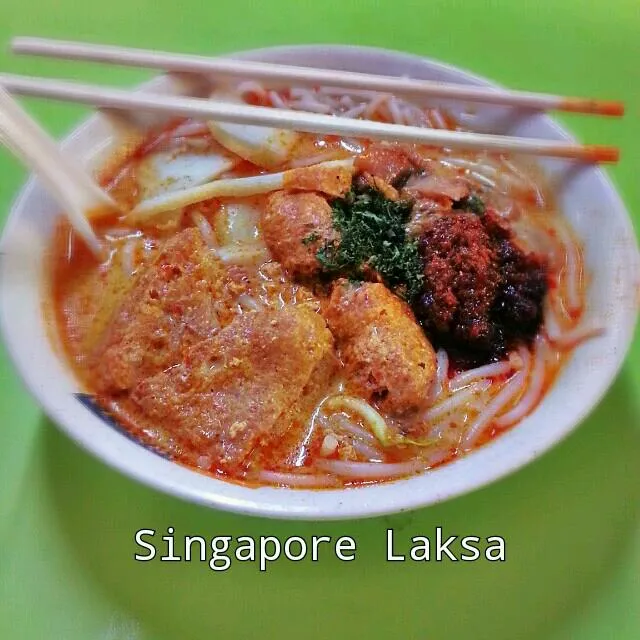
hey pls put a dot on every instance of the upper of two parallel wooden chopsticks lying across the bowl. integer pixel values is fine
(309, 76)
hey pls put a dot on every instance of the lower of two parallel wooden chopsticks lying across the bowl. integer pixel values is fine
(297, 120)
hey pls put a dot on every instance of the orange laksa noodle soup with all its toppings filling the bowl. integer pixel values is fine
(380, 311)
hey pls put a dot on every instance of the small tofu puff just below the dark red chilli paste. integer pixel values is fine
(387, 357)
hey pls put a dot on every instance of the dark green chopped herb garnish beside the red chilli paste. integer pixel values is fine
(373, 239)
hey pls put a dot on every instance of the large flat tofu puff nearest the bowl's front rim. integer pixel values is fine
(241, 389)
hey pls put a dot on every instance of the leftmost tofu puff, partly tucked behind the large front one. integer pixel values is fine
(168, 309)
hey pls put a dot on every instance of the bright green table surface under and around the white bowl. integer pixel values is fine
(571, 520)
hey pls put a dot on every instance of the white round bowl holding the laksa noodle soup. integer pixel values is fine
(586, 197)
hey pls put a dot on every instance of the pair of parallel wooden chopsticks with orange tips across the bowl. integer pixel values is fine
(298, 120)
